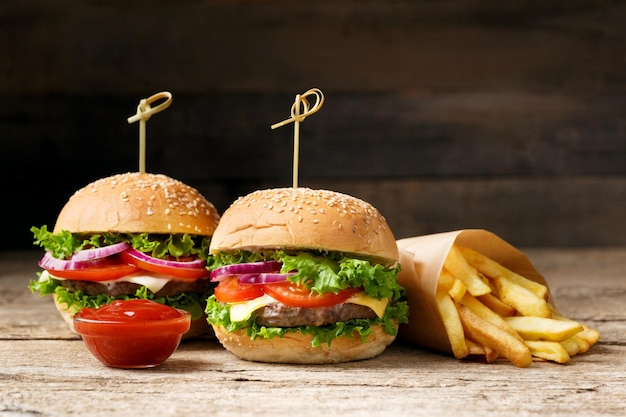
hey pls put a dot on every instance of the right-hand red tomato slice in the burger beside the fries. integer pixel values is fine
(298, 296)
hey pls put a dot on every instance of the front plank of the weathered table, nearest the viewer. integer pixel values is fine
(402, 381)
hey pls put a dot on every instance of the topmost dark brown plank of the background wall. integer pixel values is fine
(269, 46)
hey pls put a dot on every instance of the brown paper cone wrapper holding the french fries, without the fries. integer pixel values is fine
(422, 259)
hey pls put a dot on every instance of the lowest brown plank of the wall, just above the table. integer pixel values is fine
(584, 211)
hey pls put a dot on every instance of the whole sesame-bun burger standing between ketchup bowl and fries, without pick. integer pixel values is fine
(304, 276)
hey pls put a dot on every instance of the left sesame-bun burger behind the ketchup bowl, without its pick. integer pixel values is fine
(133, 235)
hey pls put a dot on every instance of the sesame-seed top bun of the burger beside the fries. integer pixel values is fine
(302, 218)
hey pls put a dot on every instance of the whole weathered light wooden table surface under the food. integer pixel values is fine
(46, 370)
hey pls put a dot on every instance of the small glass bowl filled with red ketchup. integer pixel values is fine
(132, 333)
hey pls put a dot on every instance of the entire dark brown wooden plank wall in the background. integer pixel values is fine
(508, 116)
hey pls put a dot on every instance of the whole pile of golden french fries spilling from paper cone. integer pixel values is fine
(491, 311)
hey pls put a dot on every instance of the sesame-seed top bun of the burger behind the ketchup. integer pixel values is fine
(137, 203)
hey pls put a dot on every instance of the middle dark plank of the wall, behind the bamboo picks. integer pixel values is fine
(357, 135)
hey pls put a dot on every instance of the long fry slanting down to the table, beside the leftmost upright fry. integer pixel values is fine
(493, 336)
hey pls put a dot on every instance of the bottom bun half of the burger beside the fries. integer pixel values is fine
(296, 347)
